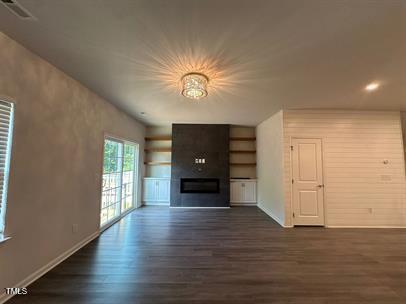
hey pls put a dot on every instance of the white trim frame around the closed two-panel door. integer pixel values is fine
(323, 177)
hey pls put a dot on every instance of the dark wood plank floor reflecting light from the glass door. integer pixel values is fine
(162, 255)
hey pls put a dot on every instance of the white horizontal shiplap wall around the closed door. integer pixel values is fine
(360, 190)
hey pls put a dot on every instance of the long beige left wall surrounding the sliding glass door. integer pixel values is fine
(56, 162)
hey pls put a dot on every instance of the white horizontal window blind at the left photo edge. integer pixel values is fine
(6, 127)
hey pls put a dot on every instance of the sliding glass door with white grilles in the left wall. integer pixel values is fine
(120, 176)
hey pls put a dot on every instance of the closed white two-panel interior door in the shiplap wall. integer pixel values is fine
(307, 182)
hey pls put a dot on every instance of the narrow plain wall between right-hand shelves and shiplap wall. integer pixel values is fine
(270, 167)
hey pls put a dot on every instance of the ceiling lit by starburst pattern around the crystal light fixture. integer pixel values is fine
(260, 56)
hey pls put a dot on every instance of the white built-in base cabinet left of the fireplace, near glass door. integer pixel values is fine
(156, 191)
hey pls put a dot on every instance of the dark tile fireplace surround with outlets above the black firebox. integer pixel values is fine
(200, 165)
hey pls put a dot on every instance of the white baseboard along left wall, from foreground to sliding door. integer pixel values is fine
(44, 269)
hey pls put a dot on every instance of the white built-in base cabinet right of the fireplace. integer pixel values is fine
(243, 192)
